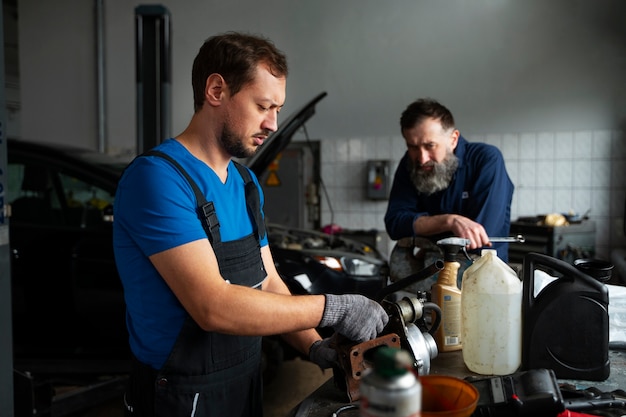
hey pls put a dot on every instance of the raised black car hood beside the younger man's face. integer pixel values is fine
(280, 139)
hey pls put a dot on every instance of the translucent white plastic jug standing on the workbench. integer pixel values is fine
(491, 316)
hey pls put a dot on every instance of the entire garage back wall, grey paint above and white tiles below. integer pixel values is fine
(543, 80)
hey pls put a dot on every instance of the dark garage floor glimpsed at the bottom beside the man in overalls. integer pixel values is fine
(296, 379)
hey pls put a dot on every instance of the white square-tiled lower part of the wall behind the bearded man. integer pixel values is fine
(553, 172)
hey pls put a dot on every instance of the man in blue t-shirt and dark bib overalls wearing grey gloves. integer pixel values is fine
(200, 292)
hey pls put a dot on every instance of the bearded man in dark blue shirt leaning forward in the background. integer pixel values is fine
(444, 186)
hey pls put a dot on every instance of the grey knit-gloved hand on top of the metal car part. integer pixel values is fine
(355, 316)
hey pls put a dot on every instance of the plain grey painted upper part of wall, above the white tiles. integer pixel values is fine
(502, 66)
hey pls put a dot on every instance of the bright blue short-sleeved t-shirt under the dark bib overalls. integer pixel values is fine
(155, 210)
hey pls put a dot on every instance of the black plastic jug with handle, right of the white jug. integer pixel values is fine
(566, 327)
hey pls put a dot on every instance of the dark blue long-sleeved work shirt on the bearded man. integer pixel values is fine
(480, 190)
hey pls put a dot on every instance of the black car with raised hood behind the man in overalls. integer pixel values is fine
(67, 300)
